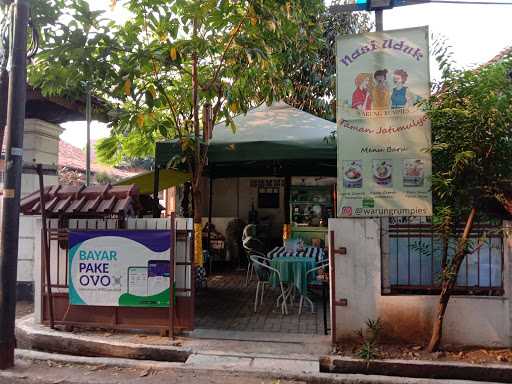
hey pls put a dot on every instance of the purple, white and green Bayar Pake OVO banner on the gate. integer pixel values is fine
(120, 268)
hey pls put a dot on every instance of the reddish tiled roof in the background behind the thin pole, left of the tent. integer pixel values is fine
(74, 158)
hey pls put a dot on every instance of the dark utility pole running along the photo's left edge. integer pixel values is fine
(9, 230)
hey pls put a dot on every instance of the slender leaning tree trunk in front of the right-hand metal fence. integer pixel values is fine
(449, 282)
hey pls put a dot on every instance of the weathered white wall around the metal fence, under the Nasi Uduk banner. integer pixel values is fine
(470, 320)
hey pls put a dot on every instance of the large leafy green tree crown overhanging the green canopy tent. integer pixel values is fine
(249, 52)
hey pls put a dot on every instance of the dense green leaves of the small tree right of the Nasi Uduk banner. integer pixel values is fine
(471, 118)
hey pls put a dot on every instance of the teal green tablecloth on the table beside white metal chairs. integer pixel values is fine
(293, 270)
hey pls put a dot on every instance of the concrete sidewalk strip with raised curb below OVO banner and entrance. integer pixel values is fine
(32, 335)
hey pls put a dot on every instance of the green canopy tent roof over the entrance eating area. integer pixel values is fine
(267, 133)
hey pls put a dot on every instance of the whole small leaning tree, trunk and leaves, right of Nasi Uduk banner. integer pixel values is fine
(471, 116)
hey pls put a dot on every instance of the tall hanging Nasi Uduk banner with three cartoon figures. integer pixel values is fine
(384, 167)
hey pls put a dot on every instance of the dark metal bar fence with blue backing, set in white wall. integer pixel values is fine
(415, 258)
